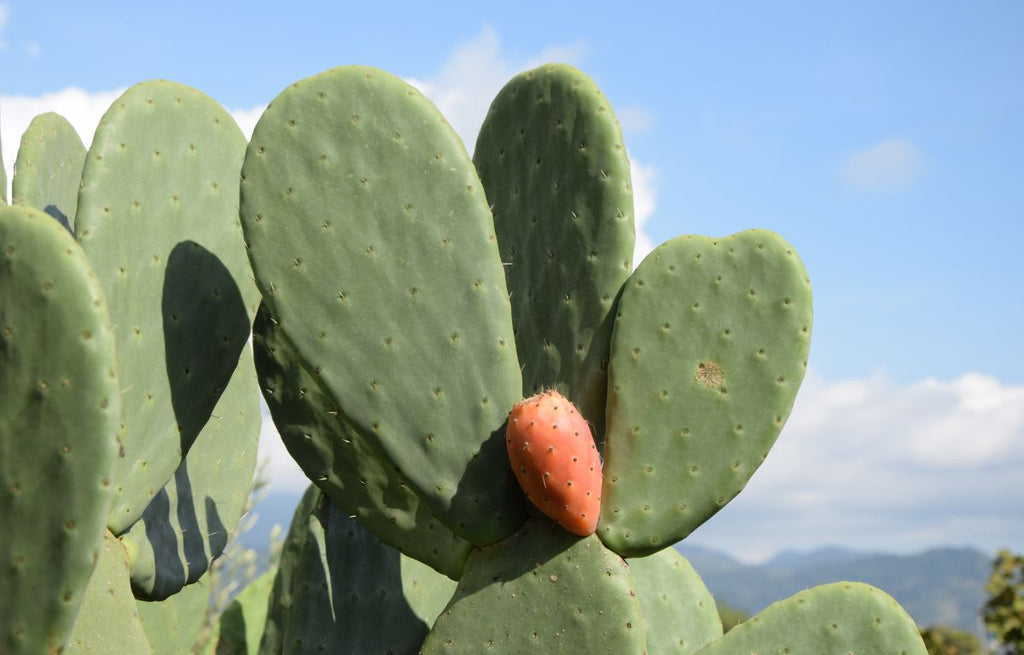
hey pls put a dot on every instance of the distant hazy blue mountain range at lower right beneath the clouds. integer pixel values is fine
(942, 586)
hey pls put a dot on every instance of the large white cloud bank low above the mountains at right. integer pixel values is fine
(872, 464)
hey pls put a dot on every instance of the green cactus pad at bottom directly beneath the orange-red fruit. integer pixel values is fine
(542, 591)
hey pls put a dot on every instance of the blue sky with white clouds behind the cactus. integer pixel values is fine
(883, 140)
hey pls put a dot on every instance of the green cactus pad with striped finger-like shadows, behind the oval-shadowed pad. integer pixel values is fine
(188, 525)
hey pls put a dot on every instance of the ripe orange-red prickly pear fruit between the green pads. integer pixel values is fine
(554, 458)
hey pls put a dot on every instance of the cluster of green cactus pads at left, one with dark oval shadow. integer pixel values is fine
(166, 430)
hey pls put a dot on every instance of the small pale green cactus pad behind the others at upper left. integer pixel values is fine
(49, 169)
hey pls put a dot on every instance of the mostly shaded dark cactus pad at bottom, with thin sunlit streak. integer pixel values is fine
(352, 593)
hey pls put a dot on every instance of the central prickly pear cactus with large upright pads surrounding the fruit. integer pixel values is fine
(399, 314)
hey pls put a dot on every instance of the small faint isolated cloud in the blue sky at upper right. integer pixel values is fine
(890, 165)
